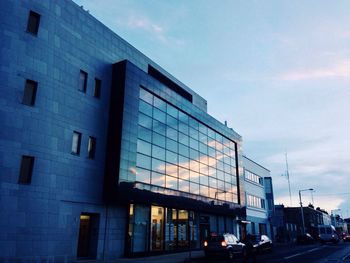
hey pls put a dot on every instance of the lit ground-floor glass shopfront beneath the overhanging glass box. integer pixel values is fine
(157, 229)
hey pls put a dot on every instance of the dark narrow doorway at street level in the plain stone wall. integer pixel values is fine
(88, 233)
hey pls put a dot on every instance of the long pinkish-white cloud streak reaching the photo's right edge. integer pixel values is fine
(338, 70)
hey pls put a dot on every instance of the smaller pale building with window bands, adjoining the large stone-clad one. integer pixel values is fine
(259, 196)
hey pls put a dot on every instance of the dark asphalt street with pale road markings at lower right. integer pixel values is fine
(295, 253)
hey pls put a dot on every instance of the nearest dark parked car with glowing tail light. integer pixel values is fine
(226, 245)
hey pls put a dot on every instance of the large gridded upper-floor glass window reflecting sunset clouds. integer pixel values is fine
(178, 152)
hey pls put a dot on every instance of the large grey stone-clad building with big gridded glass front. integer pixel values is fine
(102, 152)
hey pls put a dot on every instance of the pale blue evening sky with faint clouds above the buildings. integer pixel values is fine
(277, 71)
